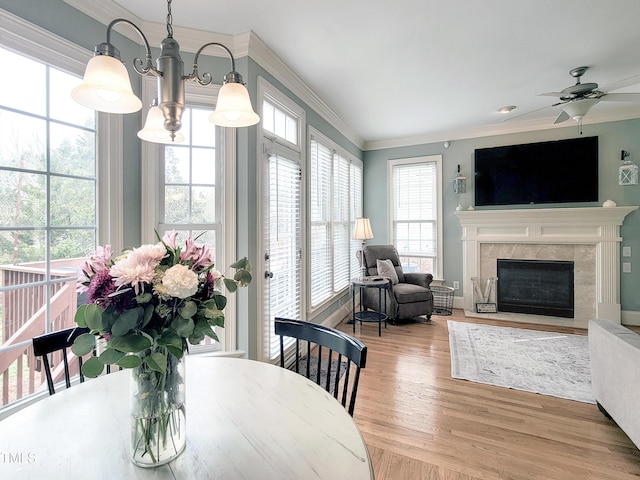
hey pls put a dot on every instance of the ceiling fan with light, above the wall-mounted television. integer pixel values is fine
(579, 98)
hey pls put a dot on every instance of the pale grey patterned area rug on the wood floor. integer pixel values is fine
(547, 363)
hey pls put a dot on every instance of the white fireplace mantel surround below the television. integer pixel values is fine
(598, 226)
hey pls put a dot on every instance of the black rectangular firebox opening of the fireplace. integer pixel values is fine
(536, 287)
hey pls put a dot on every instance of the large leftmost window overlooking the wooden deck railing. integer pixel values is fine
(48, 210)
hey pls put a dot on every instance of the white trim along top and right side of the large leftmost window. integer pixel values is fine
(35, 42)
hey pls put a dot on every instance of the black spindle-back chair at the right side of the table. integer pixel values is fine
(350, 351)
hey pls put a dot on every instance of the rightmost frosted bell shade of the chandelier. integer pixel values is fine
(233, 108)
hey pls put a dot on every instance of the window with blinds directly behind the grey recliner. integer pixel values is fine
(416, 212)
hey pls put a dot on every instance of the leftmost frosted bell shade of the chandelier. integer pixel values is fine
(106, 87)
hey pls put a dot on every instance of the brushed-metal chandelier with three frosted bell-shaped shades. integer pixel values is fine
(106, 87)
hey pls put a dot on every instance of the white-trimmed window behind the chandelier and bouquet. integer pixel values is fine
(185, 190)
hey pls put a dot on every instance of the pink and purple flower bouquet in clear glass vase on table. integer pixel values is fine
(147, 305)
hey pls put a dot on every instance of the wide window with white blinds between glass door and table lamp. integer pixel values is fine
(335, 201)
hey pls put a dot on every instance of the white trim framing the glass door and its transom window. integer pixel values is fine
(266, 142)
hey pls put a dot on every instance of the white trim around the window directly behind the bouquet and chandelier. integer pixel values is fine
(150, 193)
